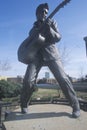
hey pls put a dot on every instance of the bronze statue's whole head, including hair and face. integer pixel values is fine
(42, 11)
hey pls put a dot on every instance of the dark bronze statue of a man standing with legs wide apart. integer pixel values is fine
(47, 55)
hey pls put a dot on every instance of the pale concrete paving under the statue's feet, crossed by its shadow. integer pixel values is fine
(46, 117)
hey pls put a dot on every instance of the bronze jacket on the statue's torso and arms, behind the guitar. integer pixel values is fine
(49, 50)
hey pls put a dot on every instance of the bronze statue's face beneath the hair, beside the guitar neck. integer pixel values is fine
(42, 14)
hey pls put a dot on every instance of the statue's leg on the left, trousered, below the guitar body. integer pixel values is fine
(28, 85)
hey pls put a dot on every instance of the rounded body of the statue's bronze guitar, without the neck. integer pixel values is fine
(29, 48)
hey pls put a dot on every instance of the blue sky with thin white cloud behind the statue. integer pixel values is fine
(16, 20)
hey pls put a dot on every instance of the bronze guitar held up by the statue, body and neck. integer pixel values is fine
(30, 46)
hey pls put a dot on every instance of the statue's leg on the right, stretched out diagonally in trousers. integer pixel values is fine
(66, 86)
